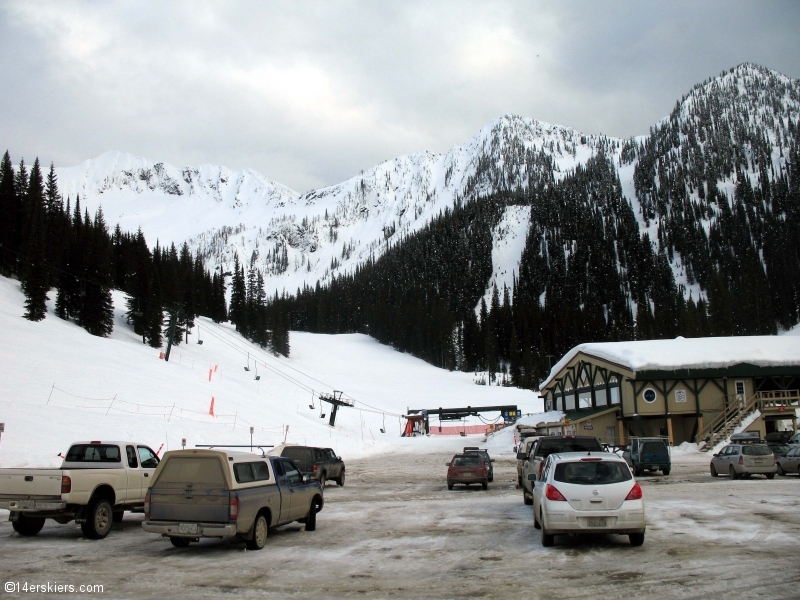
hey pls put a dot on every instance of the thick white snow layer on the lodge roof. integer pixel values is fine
(690, 353)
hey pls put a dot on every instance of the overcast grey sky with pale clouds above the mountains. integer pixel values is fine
(311, 93)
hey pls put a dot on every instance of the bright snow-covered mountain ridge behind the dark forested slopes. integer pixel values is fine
(302, 238)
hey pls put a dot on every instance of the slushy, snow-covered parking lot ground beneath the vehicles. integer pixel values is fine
(395, 531)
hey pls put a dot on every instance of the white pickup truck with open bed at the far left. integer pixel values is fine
(96, 483)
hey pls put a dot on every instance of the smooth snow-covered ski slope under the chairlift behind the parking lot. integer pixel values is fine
(61, 384)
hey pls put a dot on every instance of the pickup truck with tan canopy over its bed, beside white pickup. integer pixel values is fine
(218, 493)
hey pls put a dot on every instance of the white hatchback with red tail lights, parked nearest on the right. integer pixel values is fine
(584, 493)
